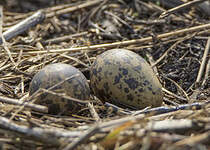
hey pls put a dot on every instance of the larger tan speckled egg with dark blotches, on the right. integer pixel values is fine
(124, 78)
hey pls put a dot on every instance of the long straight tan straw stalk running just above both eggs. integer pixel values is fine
(124, 43)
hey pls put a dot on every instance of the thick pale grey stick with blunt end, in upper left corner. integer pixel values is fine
(24, 25)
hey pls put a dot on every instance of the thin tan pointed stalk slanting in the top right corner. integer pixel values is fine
(185, 5)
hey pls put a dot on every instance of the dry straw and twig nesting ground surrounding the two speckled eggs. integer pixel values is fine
(174, 41)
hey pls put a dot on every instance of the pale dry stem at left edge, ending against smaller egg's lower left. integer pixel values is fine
(34, 107)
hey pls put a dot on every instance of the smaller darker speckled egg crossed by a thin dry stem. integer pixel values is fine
(63, 79)
